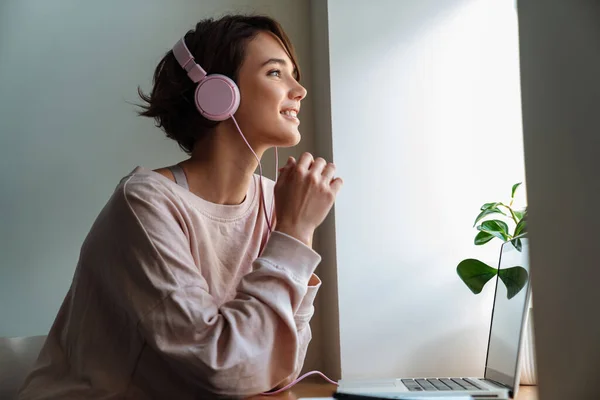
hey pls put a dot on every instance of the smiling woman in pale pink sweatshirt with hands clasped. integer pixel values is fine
(182, 290)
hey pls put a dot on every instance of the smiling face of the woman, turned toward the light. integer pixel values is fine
(270, 95)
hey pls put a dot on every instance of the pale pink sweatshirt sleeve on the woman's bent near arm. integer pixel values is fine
(245, 346)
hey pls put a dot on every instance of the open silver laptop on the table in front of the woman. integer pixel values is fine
(501, 376)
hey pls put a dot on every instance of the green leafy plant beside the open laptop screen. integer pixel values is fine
(474, 273)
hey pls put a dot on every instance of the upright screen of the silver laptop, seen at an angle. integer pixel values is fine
(509, 312)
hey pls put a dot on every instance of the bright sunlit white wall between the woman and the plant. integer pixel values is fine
(426, 128)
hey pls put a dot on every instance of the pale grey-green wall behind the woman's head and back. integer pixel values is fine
(68, 71)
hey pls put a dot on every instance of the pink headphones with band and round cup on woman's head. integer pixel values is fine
(217, 96)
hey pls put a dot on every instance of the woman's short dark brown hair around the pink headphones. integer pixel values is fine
(218, 45)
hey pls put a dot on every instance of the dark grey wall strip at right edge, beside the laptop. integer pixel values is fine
(560, 60)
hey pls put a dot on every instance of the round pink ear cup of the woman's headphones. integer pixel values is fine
(217, 97)
